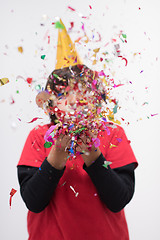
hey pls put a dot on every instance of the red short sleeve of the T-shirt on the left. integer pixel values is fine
(34, 152)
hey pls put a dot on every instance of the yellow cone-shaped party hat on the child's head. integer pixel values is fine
(66, 52)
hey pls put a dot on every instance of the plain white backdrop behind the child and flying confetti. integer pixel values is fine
(28, 24)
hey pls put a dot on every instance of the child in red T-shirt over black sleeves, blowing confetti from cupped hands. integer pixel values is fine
(82, 198)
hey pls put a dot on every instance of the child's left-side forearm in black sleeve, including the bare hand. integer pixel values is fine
(37, 185)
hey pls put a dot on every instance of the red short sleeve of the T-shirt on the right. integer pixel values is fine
(116, 147)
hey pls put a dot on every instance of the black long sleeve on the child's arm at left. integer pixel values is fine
(37, 185)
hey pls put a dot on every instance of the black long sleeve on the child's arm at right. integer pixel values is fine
(115, 186)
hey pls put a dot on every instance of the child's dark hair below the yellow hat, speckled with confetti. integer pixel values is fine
(59, 79)
